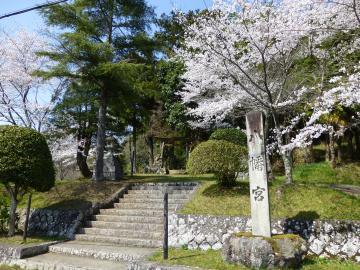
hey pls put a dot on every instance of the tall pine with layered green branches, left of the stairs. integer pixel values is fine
(101, 41)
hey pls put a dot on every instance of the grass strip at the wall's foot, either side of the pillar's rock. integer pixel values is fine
(211, 259)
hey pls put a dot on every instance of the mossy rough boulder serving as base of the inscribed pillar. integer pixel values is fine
(282, 251)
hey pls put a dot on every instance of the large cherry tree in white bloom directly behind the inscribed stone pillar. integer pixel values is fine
(242, 53)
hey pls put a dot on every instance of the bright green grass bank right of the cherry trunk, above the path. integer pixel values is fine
(322, 173)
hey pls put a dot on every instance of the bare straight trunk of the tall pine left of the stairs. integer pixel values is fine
(100, 139)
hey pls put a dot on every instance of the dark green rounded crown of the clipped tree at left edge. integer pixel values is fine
(25, 159)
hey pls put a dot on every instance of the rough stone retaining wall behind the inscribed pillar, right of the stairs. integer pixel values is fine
(326, 238)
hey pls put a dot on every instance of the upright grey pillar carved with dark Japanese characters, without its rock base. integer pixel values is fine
(258, 175)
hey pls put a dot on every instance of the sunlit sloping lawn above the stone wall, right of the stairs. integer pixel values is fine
(310, 197)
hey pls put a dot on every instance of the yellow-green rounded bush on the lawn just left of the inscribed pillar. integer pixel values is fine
(223, 158)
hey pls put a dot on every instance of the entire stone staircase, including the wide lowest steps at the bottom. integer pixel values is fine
(129, 232)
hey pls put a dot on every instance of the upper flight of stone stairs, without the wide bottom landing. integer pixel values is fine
(137, 219)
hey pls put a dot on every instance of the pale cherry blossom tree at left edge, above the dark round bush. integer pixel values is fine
(25, 99)
